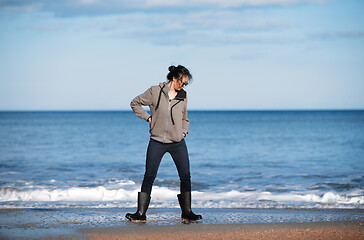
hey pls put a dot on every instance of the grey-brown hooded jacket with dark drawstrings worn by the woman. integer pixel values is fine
(169, 117)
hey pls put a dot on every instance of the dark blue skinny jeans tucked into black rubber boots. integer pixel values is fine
(155, 152)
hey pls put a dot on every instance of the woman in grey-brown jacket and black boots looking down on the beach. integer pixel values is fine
(168, 124)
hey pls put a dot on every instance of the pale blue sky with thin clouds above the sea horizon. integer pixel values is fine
(243, 54)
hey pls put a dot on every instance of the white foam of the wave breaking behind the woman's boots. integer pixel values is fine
(162, 197)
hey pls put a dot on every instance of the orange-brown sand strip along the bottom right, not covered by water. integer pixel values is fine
(281, 231)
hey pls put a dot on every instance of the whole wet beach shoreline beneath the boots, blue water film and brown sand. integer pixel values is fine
(101, 223)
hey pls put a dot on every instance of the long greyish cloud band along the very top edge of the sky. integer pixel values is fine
(71, 8)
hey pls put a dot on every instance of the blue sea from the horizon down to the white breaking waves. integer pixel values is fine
(238, 159)
